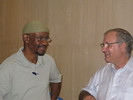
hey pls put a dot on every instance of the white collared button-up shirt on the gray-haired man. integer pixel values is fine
(111, 84)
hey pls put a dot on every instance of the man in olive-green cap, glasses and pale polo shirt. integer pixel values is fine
(27, 74)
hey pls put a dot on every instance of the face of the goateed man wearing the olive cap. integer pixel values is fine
(38, 42)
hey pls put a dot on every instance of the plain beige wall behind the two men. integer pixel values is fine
(76, 28)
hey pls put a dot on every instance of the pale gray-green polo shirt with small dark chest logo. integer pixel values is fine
(23, 80)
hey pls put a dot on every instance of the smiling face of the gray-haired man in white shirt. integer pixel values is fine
(112, 52)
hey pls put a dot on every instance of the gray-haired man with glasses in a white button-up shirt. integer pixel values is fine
(114, 81)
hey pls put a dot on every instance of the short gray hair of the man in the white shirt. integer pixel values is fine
(123, 36)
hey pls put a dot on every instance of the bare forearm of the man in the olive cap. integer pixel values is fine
(55, 90)
